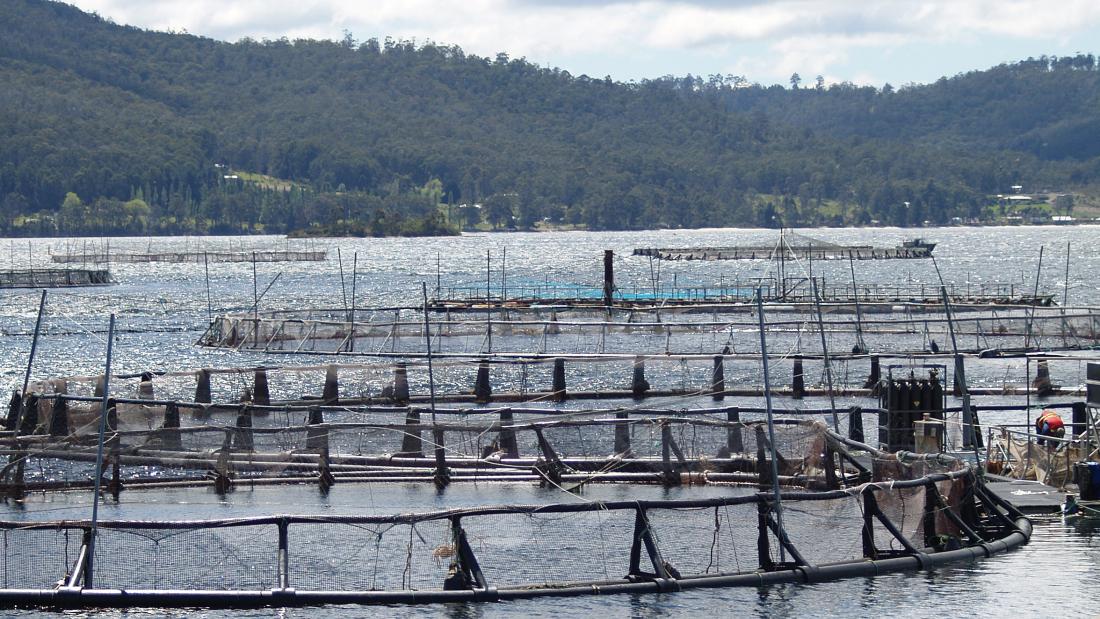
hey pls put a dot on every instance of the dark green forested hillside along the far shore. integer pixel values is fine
(108, 129)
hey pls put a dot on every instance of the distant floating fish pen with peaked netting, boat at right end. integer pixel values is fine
(794, 247)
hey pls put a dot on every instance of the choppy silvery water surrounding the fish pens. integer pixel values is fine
(162, 309)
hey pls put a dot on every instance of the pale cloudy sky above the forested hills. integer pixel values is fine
(866, 42)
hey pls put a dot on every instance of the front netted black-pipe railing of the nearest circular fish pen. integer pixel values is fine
(914, 517)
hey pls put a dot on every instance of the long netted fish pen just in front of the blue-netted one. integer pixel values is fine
(549, 331)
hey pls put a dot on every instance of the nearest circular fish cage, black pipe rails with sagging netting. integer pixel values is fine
(789, 481)
